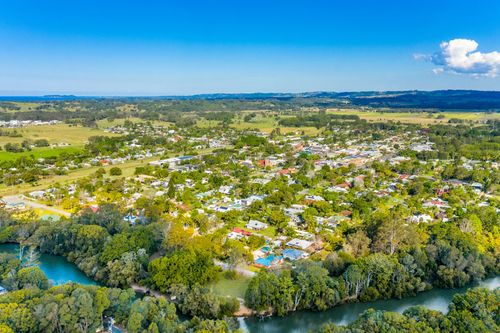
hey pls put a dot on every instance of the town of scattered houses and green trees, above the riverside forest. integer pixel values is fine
(282, 197)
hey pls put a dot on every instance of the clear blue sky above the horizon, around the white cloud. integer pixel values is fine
(185, 47)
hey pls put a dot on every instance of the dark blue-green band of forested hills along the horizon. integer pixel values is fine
(439, 99)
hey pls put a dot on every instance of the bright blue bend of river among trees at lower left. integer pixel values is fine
(56, 268)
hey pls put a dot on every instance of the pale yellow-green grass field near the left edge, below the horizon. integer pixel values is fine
(74, 135)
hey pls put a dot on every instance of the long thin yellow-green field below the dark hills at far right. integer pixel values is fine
(423, 118)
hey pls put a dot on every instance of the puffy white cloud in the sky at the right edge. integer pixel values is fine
(460, 56)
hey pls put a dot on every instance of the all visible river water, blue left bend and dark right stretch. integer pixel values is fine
(60, 271)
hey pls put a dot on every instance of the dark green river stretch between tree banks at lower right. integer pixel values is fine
(305, 321)
